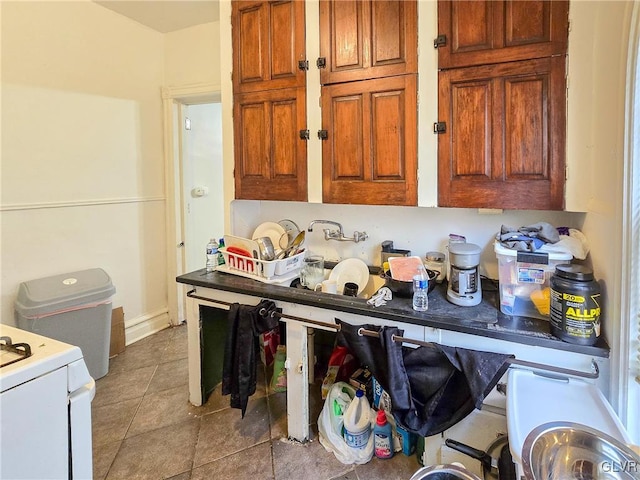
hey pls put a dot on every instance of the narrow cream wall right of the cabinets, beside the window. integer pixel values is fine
(597, 64)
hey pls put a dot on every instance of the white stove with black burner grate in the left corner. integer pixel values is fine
(45, 408)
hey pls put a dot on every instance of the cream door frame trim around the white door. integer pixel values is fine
(173, 100)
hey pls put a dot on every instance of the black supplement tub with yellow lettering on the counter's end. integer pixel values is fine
(575, 305)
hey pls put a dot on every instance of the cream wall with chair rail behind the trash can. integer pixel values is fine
(82, 164)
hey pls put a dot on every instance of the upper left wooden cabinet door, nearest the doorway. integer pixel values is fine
(268, 42)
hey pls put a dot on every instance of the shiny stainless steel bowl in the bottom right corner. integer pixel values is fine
(566, 450)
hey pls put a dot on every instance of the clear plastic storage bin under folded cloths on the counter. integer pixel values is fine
(524, 280)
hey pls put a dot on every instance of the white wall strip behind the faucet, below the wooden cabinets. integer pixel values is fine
(417, 229)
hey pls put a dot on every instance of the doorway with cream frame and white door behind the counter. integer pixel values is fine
(194, 183)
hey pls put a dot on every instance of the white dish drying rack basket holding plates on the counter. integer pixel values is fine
(275, 271)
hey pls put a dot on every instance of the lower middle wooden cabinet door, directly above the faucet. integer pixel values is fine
(370, 155)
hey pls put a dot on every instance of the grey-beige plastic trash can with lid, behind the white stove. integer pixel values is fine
(74, 308)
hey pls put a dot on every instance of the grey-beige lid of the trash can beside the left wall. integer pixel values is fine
(46, 295)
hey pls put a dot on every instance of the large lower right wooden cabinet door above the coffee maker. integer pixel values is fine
(505, 135)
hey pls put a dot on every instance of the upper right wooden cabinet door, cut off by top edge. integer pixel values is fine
(479, 32)
